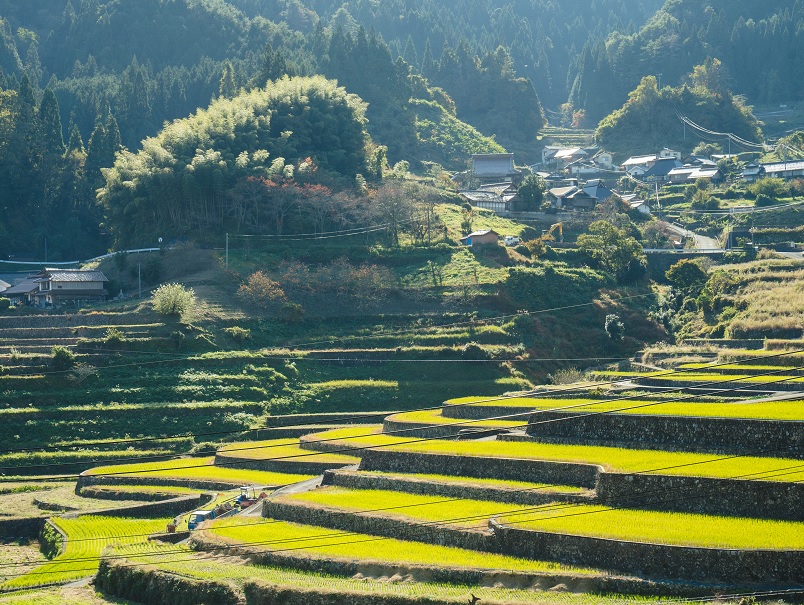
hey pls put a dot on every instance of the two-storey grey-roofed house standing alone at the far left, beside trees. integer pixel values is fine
(58, 287)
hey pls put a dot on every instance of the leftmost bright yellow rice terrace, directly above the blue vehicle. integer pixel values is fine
(200, 469)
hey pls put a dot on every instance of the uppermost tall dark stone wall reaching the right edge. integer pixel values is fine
(775, 438)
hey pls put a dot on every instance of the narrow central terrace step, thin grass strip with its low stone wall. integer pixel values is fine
(512, 495)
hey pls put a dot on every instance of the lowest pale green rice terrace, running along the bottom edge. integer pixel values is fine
(233, 570)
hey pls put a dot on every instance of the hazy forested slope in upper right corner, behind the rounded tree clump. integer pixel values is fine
(757, 42)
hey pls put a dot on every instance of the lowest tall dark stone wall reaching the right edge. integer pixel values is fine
(654, 560)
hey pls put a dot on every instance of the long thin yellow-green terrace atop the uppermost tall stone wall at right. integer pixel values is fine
(767, 410)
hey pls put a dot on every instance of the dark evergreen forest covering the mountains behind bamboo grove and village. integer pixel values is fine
(81, 80)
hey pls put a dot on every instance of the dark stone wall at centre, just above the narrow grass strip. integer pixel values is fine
(514, 469)
